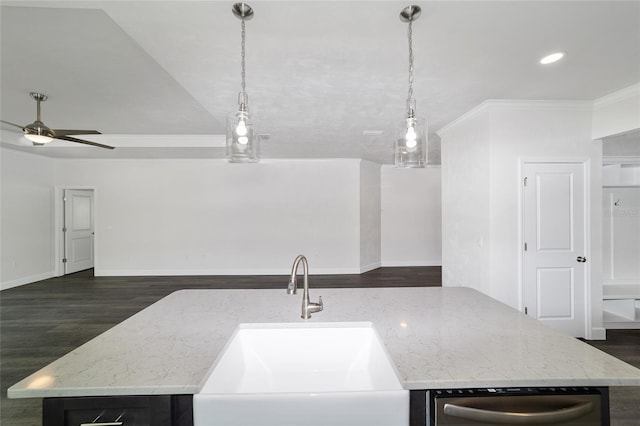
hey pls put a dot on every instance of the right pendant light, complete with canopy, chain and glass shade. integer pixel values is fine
(411, 140)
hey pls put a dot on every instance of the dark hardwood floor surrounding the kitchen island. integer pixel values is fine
(42, 321)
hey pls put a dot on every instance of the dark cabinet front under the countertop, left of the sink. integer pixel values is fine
(158, 410)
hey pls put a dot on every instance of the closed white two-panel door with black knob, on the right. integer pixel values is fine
(554, 263)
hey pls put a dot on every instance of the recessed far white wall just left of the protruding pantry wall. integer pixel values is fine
(411, 217)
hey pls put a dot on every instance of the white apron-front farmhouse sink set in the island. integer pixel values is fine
(302, 374)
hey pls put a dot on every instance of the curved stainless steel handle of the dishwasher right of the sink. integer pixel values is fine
(505, 417)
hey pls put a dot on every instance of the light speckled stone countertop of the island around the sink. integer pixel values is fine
(437, 338)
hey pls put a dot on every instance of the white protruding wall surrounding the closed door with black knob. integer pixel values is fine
(481, 154)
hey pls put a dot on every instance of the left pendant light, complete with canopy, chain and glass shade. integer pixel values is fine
(243, 144)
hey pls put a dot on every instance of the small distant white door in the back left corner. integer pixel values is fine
(78, 230)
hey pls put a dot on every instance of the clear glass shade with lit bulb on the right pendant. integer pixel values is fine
(411, 143)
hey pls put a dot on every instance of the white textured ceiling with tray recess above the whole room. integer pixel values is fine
(319, 73)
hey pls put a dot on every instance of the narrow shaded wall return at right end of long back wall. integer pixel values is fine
(370, 216)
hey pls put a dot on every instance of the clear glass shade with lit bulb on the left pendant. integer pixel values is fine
(243, 143)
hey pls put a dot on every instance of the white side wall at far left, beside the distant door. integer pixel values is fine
(27, 218)
